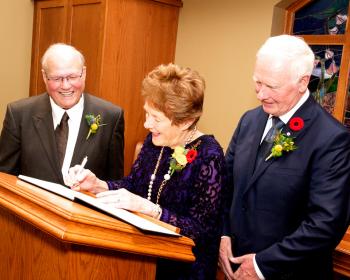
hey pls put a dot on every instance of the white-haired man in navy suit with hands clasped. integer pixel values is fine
(291, 204)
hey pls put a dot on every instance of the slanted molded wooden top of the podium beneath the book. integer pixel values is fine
(71, 222)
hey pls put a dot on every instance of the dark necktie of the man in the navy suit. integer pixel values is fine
(267, 144)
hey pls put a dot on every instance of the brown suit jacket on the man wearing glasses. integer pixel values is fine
(28, 146)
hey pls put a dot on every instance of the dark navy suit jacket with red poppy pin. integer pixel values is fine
(292, 210)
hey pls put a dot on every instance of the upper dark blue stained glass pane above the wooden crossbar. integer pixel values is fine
(321, 17)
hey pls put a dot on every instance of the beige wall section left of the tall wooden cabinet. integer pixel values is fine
(16, 22)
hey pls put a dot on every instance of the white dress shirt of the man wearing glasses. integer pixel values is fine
(75, 114)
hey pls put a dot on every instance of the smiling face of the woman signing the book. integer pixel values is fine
(164, 133)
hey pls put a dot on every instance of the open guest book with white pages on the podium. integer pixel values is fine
(138, 220)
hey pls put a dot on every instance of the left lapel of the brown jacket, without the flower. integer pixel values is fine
(43, 124)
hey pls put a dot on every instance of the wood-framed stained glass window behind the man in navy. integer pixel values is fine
(323, 24)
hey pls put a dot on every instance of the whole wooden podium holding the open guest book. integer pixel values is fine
(45, 236)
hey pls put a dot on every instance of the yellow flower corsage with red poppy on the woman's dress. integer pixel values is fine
(182, 156)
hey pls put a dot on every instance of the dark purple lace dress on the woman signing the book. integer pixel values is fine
(192, 200)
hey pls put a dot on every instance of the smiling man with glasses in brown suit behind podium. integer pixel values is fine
(28, 144)
